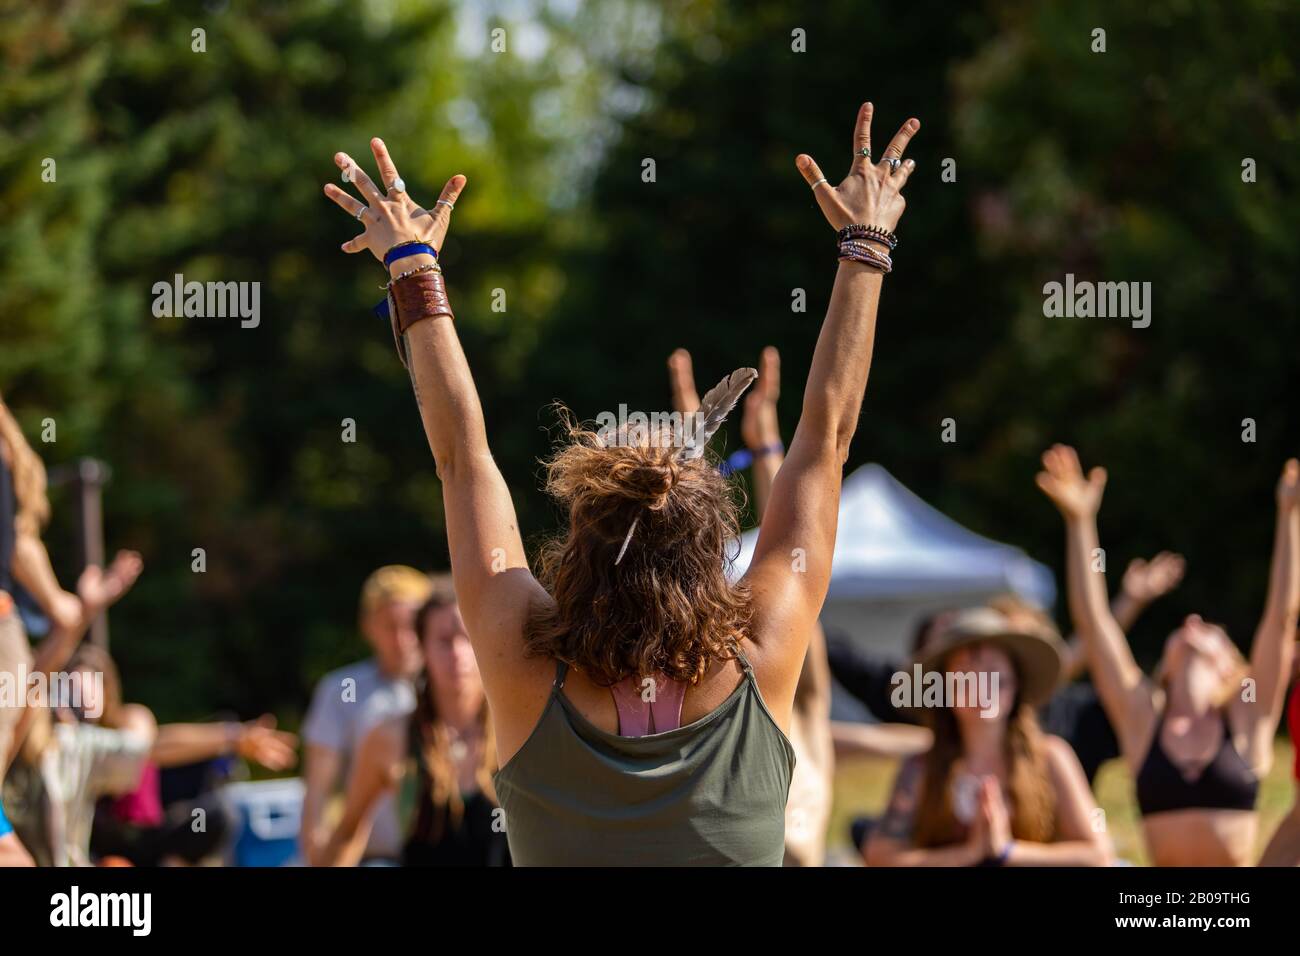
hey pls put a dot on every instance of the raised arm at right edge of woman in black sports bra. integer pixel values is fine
(1273, 647)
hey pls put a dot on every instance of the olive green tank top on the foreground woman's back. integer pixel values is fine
(710, 794)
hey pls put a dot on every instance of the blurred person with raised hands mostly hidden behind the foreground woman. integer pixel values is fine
(808, 811)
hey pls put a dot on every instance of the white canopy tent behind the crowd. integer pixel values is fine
(898, 560)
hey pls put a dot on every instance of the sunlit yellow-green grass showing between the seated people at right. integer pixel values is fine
(863, 789)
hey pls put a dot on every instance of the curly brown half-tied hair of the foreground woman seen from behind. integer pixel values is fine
(668, 605)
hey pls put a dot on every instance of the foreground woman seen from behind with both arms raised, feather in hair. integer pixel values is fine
(635, 595)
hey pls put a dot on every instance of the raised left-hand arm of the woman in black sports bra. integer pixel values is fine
(1124, 689)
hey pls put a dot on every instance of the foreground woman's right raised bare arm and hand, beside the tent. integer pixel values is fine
(792, 560)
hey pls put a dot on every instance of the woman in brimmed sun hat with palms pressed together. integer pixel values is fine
(994, 790)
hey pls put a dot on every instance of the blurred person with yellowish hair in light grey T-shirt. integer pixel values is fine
(354, 700)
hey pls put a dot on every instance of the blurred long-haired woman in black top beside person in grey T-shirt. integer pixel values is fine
(440, 762)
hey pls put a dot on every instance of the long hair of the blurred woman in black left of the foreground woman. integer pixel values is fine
(440, 801)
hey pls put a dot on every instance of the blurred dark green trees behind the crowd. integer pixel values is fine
(1125, 166)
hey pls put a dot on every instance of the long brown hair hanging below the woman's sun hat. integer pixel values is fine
(1033, 802)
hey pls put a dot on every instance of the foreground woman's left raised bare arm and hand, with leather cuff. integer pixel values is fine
(489, 566)
